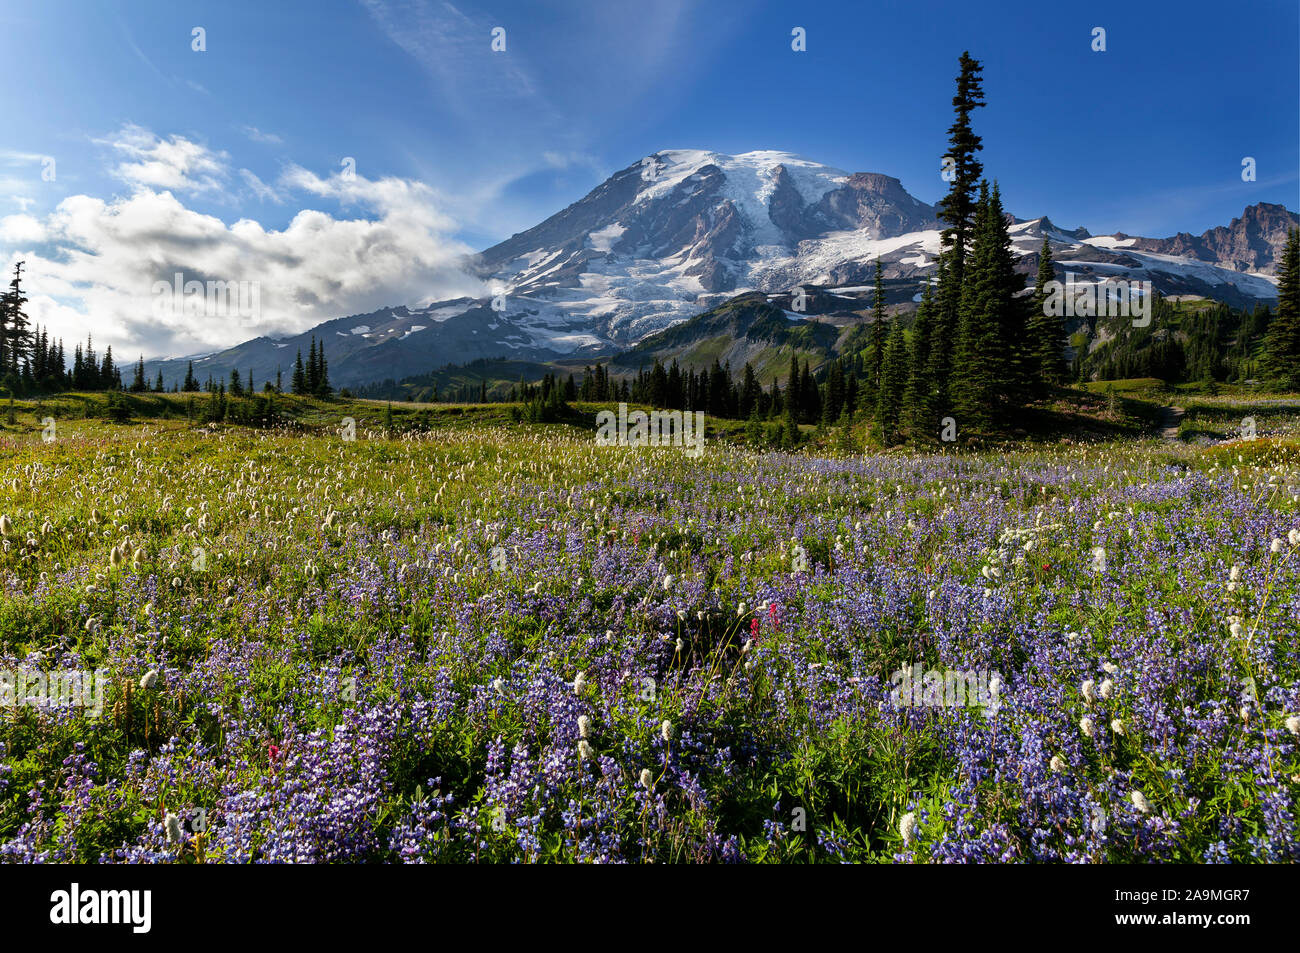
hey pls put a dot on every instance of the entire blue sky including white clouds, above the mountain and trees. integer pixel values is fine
(231, 161)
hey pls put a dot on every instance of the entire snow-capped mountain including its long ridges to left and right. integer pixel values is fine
(684, 231)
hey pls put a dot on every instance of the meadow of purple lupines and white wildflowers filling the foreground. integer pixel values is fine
(493, 642)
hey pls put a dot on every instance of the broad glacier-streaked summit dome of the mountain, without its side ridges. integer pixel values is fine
(683, 231)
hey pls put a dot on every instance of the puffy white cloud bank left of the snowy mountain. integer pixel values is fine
(93, 265)
